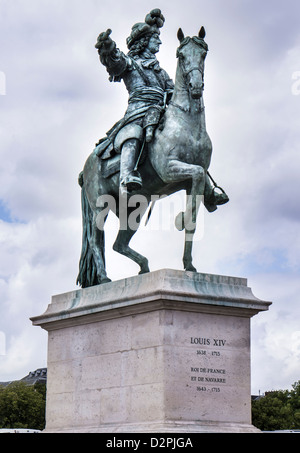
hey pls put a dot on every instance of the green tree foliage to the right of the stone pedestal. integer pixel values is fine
(278, 410)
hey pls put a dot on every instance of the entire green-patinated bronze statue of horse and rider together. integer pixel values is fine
(161, 146)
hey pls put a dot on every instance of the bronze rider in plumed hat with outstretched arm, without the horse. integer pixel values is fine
(149, 88)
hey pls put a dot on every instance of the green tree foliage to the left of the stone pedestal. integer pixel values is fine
(22, 406)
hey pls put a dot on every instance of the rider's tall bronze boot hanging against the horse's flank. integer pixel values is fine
(130, 179)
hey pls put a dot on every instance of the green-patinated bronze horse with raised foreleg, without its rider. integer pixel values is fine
(177, 158)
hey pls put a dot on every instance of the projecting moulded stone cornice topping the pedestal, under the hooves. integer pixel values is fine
(163, 289)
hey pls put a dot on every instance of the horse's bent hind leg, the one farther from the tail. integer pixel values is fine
(125, 234)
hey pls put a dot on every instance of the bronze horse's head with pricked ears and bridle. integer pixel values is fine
(191, 55)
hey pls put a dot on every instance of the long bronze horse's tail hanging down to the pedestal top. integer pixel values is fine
(87, 266)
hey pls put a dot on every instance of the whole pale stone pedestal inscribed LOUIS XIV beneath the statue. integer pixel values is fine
(167, 351)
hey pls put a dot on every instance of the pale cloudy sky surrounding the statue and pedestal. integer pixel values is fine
(56, 102)
